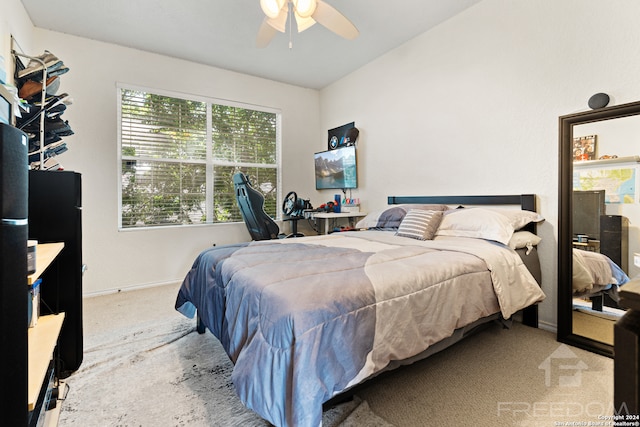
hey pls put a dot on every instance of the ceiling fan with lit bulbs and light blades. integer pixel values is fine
(306, 13)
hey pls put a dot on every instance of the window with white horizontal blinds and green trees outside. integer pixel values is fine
(178, 155)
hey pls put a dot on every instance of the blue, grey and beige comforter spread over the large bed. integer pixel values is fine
(305, 319)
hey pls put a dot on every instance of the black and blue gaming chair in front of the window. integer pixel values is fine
(251, 203)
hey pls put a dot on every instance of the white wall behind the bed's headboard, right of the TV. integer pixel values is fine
(472, 106)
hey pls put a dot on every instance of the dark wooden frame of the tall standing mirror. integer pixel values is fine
(565, 223)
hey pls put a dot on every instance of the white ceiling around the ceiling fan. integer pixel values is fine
(222, 33)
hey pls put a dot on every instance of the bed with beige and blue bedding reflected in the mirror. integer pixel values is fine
(596, 275)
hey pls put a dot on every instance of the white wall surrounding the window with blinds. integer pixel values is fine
(117, 259)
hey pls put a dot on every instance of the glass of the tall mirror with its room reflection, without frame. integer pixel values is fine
(604, 205)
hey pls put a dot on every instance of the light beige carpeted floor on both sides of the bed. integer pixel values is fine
(144, 366)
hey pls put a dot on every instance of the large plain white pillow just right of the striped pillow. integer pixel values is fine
(478, 223)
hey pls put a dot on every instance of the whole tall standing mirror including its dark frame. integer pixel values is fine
(599, 223)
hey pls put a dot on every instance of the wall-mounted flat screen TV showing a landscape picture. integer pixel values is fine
(336, 169)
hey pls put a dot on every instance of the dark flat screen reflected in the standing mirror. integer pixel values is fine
(588, 206)
